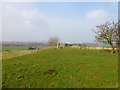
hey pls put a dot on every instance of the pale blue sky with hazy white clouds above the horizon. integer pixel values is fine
(70, 21)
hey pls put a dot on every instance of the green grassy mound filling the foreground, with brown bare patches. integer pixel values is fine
(62, 68)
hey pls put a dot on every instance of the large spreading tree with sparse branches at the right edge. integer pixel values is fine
(108, 33)
